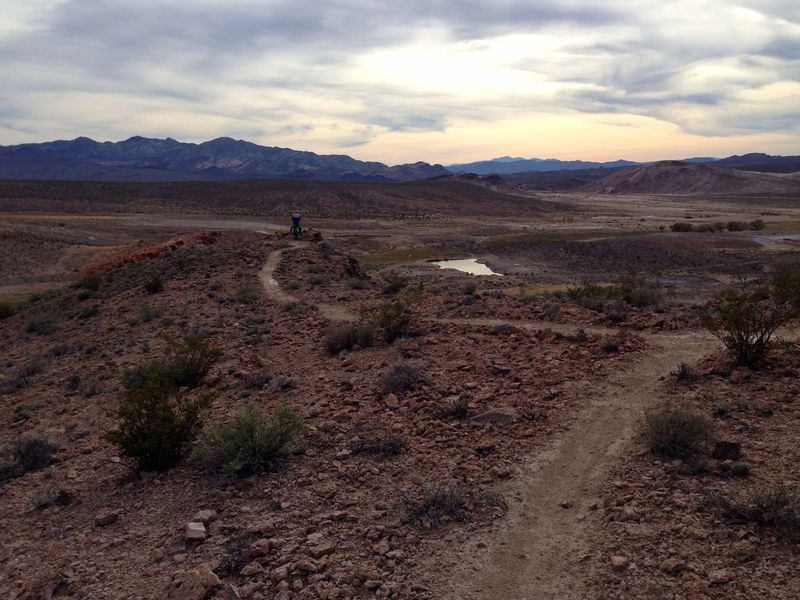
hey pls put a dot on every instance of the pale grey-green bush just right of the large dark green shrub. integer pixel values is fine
(251, 442)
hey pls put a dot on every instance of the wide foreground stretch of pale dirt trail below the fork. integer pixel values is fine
(537, 553)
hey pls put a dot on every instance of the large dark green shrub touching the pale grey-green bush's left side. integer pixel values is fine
(157, 426)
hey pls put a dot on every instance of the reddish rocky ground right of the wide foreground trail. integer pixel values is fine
(664, 533)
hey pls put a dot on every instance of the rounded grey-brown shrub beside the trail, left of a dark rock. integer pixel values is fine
(676, 433)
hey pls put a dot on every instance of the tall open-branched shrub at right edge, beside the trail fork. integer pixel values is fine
(745, 320)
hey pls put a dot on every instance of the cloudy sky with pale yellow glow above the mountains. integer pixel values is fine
(442, 81)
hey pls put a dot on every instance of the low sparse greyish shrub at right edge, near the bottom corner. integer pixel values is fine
(777, 507)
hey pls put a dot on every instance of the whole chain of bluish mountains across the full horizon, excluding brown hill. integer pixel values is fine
(149, 159)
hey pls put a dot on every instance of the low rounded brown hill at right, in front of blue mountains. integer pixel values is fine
(676, 177)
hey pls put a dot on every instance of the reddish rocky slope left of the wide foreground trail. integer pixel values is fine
(334, 521)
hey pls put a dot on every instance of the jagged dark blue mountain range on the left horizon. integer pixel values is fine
(148, 159)
